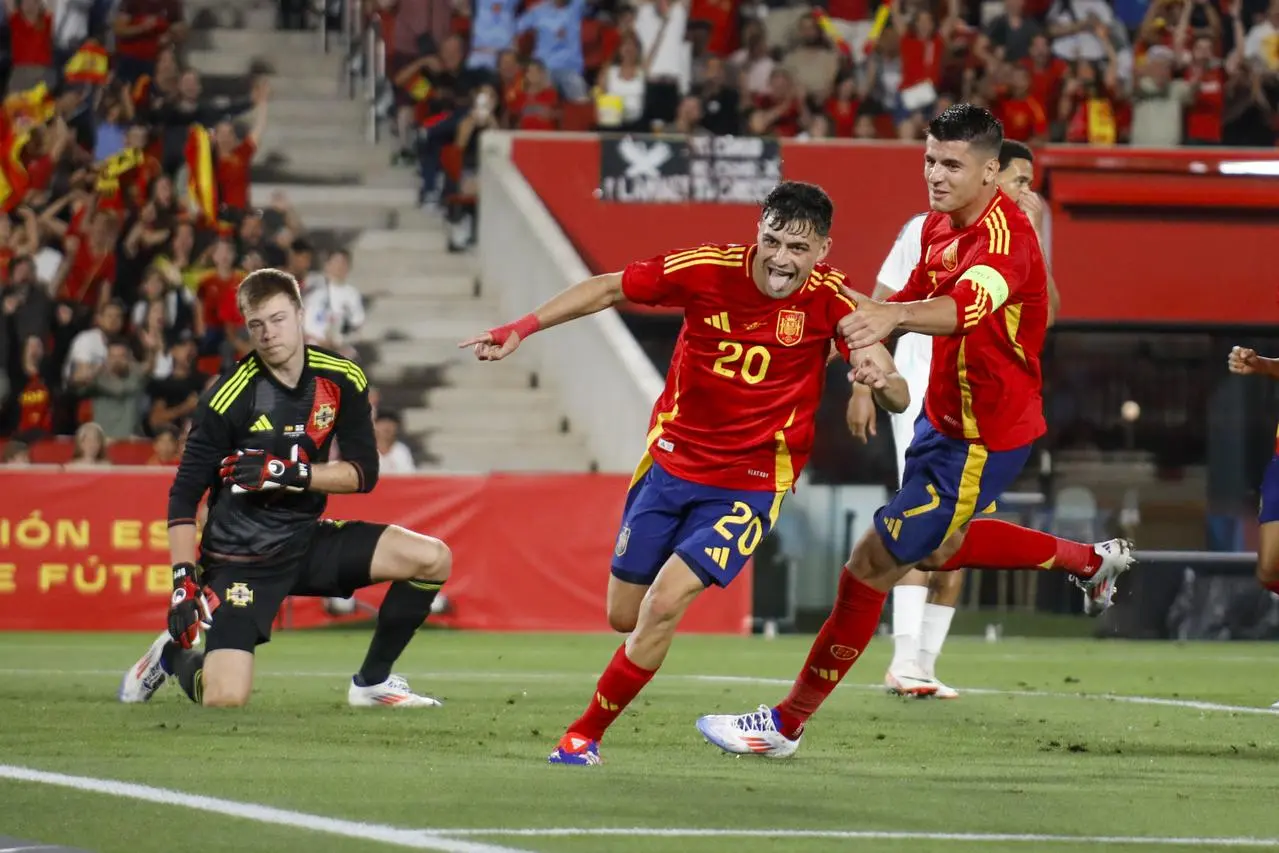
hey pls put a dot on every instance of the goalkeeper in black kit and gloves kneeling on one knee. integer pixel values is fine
(259, 446)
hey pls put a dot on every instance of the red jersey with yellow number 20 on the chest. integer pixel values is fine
(748, 374)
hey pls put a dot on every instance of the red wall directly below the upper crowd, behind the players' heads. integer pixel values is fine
(1139, 237)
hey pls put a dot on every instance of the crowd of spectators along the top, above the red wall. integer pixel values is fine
(1090, 72)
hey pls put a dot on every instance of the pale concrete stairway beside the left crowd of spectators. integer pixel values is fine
(421, 300)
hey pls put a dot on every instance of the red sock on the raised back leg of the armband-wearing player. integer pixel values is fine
(992, 544)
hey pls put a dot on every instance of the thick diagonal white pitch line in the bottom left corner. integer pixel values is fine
(409, 838)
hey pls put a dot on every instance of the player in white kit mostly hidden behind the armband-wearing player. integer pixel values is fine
(924, 603)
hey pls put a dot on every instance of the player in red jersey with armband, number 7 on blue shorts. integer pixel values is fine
(982, 292)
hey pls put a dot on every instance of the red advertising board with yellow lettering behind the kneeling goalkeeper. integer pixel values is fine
(531, 553)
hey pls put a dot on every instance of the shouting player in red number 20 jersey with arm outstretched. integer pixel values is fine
(732, 430)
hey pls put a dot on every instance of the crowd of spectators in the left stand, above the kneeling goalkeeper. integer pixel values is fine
(126, 226)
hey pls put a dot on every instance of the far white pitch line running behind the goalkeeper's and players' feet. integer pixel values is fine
(457, 676)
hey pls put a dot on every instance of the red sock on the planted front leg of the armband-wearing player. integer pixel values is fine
(841, 643)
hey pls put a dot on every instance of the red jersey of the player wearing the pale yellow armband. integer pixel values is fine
(985, 383)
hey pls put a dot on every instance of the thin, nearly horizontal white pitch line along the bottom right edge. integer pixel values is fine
(870, 836)
